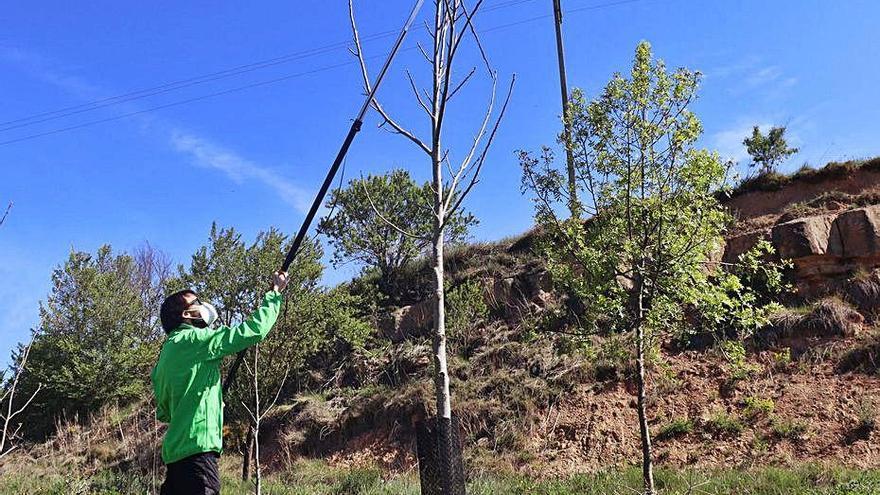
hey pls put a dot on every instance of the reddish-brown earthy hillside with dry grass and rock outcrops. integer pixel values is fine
(530, 401)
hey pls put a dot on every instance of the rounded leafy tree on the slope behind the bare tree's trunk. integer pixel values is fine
(385, 222)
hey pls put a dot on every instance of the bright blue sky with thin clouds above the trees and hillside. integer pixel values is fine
(253, 158)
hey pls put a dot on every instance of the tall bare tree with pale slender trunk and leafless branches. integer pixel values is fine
(453, 23)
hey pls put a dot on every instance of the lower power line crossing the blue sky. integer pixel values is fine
(285, 78)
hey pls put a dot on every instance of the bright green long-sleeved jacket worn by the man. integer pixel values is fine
(186, 380)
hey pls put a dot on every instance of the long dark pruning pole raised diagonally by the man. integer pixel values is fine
(319, 198)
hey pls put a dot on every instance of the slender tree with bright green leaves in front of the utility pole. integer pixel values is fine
(645, 254)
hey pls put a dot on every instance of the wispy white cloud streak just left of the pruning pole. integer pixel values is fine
(206, 153)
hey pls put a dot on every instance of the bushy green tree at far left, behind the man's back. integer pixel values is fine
(99, 336)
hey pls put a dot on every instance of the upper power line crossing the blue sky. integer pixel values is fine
(202, 79)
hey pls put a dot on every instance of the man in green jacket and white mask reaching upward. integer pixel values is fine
(186, 384)
